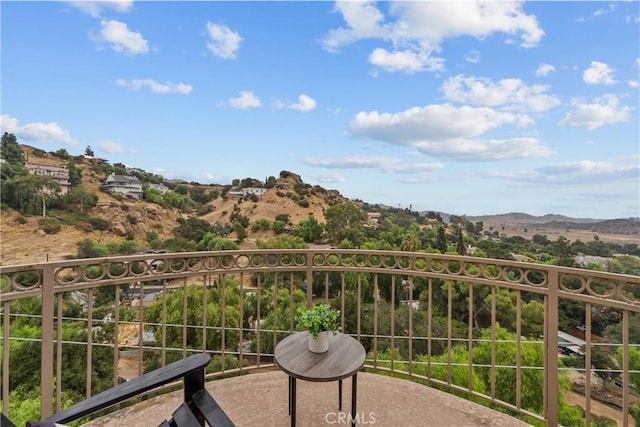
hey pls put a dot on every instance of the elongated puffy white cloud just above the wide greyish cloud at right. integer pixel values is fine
(510, 93)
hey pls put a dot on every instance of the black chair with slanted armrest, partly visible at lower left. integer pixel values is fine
(198, 406)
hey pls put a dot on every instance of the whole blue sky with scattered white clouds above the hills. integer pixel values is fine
(462, 107)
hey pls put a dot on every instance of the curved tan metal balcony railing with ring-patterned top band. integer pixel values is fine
(484, 328)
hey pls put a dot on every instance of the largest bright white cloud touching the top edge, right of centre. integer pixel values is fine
(416, 30)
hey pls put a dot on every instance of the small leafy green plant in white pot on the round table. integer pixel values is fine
(320, 320)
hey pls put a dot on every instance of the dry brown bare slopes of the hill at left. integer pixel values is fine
(22, 243)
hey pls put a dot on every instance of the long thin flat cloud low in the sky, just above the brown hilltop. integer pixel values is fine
(384, 164)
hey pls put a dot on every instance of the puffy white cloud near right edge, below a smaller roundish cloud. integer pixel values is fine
(602, 111)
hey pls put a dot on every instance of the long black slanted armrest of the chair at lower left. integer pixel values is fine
(154, 379)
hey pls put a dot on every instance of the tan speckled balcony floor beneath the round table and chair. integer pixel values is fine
(260, 399)
